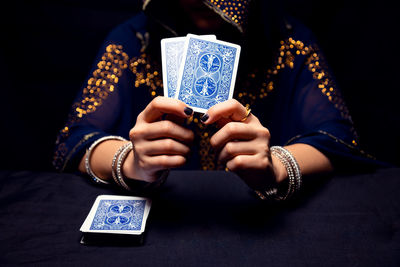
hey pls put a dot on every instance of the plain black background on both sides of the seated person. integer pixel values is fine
(49, 47)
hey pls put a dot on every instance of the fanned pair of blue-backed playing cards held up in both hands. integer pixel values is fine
(199, 70)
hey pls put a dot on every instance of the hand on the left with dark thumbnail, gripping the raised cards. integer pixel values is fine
(158, 144)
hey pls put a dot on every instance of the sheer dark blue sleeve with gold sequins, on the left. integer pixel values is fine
(106, 103)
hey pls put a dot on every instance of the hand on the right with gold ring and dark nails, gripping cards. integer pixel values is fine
(243, 145)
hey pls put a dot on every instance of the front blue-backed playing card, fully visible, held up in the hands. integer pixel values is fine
(207, 73)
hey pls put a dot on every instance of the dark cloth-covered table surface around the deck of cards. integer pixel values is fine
(205, 219)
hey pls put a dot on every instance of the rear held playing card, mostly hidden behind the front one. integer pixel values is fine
(171, 57)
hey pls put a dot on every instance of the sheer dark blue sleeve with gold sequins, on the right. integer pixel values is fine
(310, 109)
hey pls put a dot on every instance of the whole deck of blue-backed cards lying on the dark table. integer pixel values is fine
(113, 219)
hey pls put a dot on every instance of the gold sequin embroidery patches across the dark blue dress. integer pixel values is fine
(114, 61)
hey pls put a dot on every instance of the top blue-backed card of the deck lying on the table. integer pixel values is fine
(117, 215)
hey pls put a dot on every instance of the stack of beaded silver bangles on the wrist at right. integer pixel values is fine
(294, 176)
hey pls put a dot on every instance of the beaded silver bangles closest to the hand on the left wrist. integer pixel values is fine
(132, 185)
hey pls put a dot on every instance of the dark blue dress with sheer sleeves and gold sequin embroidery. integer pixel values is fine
(294, 96)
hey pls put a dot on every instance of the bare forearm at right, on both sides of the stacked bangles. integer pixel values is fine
(310, 160)
